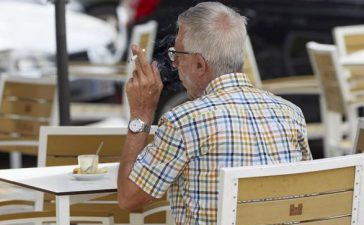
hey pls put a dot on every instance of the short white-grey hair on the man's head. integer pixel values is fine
(218, 33)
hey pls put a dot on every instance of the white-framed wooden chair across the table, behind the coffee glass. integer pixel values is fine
(62, 145)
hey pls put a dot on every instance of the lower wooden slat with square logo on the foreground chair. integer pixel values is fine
(295, 210)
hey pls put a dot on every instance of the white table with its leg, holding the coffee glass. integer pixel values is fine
(58, 180)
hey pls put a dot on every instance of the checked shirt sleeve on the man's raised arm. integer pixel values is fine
(158, 165)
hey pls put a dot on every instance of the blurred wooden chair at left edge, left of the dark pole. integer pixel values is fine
(25, 105)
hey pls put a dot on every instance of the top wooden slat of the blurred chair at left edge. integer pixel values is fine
(28, 90)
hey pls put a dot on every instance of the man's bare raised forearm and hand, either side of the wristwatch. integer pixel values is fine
(143, 90)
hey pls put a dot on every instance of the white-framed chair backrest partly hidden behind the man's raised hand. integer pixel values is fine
(144, 36)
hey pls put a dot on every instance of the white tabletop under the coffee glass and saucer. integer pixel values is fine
(59, 180)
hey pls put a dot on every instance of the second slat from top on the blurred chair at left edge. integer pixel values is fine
(23, 107)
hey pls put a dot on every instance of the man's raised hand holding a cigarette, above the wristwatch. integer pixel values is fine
(143, 88)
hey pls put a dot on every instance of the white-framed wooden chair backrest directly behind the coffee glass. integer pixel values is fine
(61, 145)
